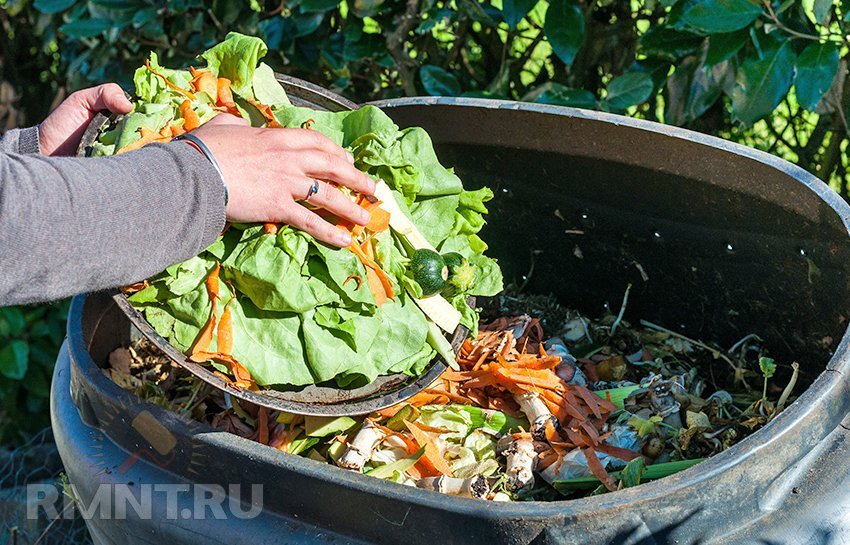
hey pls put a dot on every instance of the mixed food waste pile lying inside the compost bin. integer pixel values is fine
(546, 404)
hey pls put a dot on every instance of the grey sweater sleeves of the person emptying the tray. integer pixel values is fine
(70, 225)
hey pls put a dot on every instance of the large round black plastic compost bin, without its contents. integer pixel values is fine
(718, 239)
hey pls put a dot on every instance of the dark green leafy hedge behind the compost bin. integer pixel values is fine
(770, 73)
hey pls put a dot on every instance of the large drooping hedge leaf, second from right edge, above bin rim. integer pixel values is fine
(761, 83)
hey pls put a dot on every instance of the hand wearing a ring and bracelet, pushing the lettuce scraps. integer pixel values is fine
(268, 171)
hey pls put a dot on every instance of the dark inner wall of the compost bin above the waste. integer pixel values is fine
(715, 245)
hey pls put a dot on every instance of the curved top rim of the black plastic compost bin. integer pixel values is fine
(814, 397)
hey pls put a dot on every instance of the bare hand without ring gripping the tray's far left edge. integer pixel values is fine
(61, 132)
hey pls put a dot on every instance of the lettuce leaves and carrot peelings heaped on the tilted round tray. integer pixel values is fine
(290, 316)
